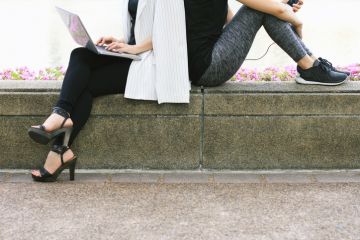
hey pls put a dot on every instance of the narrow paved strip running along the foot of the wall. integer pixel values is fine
(206, 177)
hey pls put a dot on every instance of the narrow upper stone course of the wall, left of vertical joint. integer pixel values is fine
(35, 104)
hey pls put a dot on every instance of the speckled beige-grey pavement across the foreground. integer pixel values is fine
(179, 211)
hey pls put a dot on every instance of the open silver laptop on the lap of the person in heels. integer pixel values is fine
(81, 36)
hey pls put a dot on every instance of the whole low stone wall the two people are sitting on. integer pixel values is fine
(234, 126)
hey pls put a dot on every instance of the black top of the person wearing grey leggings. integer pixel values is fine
(205, 20)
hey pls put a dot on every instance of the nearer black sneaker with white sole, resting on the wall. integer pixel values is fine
(320, 74)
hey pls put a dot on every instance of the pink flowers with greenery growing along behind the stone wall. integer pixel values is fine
(244, 74)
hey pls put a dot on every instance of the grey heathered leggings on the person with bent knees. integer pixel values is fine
(235, 42)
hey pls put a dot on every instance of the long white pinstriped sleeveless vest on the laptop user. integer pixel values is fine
(162, 75)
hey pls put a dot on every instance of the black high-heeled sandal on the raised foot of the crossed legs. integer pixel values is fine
(40, 135)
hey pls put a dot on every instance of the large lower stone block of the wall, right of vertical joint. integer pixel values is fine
(281, 142)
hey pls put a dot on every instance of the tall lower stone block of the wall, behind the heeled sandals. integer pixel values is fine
(111, 142)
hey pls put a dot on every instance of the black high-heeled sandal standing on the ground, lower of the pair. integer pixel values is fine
(48, 177)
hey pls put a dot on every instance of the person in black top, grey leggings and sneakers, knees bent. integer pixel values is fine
(217, 52)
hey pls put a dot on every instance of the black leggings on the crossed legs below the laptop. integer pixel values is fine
(88, 76)
